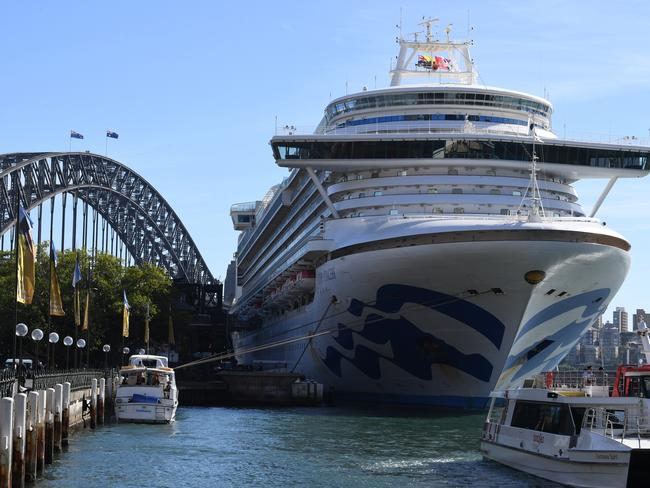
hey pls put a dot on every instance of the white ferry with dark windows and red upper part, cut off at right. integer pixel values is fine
(584, 436)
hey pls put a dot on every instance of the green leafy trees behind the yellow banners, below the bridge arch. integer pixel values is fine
(106, 280)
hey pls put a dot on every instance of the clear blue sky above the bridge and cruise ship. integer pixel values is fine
(193, 88)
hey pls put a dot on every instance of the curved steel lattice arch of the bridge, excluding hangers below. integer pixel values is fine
(137, 213)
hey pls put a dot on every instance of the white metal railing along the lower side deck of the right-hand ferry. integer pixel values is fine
(617, 424)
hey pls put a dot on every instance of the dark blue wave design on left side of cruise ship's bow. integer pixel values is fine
(413, 350)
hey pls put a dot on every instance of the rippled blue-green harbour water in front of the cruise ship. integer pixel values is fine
(315, 447)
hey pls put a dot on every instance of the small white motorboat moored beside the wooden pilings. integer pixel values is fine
(147, 392)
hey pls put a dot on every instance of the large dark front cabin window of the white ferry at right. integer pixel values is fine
(543, 417)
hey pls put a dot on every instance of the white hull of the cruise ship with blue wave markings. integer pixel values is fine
(437, 323)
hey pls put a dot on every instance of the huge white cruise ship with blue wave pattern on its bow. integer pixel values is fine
(428, 244)
